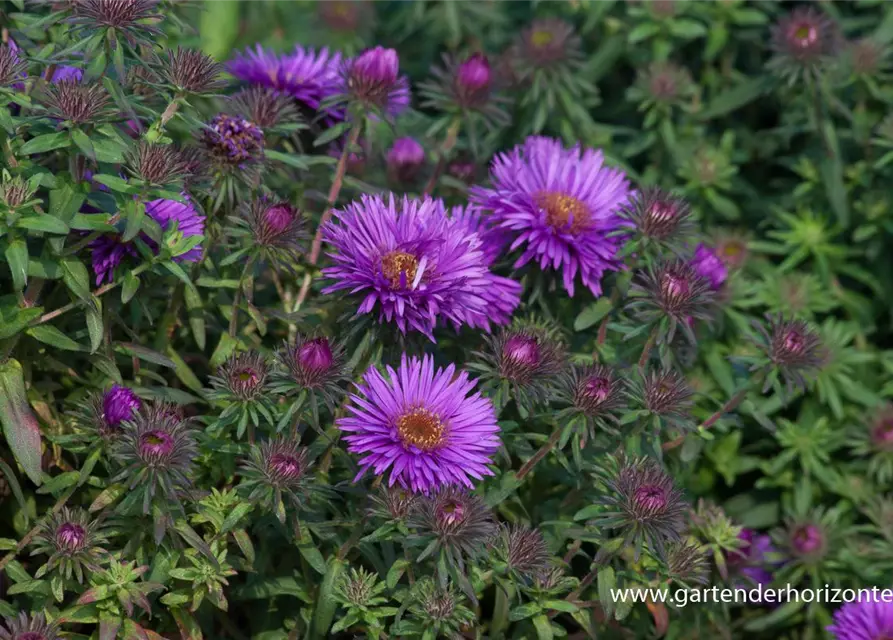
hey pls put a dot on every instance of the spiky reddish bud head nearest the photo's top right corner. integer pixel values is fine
(802, 42)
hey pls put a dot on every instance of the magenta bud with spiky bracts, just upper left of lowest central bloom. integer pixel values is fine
(313, 363)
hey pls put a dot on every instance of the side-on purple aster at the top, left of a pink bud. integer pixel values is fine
(308, 75)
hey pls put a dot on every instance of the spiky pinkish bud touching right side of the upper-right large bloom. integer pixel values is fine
(660, 216)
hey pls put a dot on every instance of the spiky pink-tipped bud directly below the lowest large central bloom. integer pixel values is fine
(461, 523)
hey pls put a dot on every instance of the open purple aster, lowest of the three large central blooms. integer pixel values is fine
(422, 425)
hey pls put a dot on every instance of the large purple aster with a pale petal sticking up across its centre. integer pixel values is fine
(409, 259)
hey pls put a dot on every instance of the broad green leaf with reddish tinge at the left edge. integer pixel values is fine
(20, 427)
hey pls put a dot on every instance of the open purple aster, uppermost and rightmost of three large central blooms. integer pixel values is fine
(561, 205)
